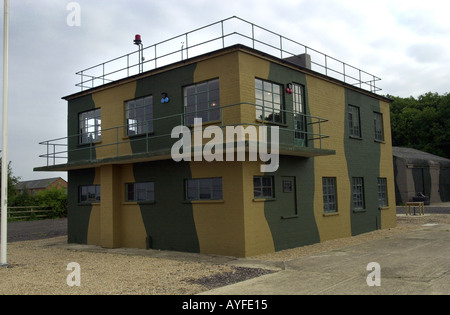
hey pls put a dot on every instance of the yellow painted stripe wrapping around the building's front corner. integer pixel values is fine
(237, 226)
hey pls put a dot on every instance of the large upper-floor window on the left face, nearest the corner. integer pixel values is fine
(202, 100)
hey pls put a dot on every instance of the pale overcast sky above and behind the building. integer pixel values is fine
(406, 43)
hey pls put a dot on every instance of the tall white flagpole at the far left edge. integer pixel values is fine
(4, 181)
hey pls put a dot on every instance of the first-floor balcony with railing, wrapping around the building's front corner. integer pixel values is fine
(298, 135)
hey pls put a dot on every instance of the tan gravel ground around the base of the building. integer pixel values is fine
(40, 266)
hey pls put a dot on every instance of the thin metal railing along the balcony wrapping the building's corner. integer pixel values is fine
(115, 144)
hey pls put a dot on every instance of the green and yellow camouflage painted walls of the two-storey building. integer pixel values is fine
(238, 225)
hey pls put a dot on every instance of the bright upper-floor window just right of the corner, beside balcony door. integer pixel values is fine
(268, 101)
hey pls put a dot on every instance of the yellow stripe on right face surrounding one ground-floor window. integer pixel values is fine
(327, 100)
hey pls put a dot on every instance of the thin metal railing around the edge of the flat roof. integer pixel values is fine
(224, 33)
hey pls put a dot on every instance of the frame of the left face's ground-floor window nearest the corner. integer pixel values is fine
(214, 195)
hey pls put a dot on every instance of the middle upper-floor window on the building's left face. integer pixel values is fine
(139, 115)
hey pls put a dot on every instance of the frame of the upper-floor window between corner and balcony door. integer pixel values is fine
(267, 97)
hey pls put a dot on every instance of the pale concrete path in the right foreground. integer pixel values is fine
(417, 262)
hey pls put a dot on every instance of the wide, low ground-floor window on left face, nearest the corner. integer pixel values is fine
(204, 189)
